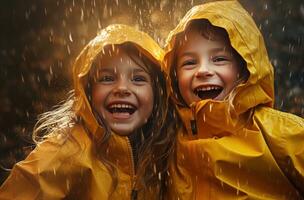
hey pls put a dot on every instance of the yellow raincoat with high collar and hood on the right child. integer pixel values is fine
(253, 152)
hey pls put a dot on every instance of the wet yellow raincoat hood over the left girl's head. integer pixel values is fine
(112, 35)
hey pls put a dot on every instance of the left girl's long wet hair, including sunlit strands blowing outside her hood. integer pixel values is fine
(158, 132)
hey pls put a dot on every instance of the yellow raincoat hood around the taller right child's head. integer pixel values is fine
(246, 39)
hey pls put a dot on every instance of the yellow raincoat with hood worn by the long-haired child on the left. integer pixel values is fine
(62, 168)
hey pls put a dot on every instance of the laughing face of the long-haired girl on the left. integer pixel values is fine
(122, 92)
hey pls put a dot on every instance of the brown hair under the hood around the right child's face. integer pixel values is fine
(210, 32)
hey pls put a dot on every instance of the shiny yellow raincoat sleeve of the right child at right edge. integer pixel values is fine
(284, 134)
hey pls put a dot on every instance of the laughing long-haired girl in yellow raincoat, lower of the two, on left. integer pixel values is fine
(109, 140)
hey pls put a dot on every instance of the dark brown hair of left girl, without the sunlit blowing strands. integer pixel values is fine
(158, 134)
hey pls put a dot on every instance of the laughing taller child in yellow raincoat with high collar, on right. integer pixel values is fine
(232, 144)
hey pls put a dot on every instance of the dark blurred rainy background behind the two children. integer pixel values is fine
(41, 38)
